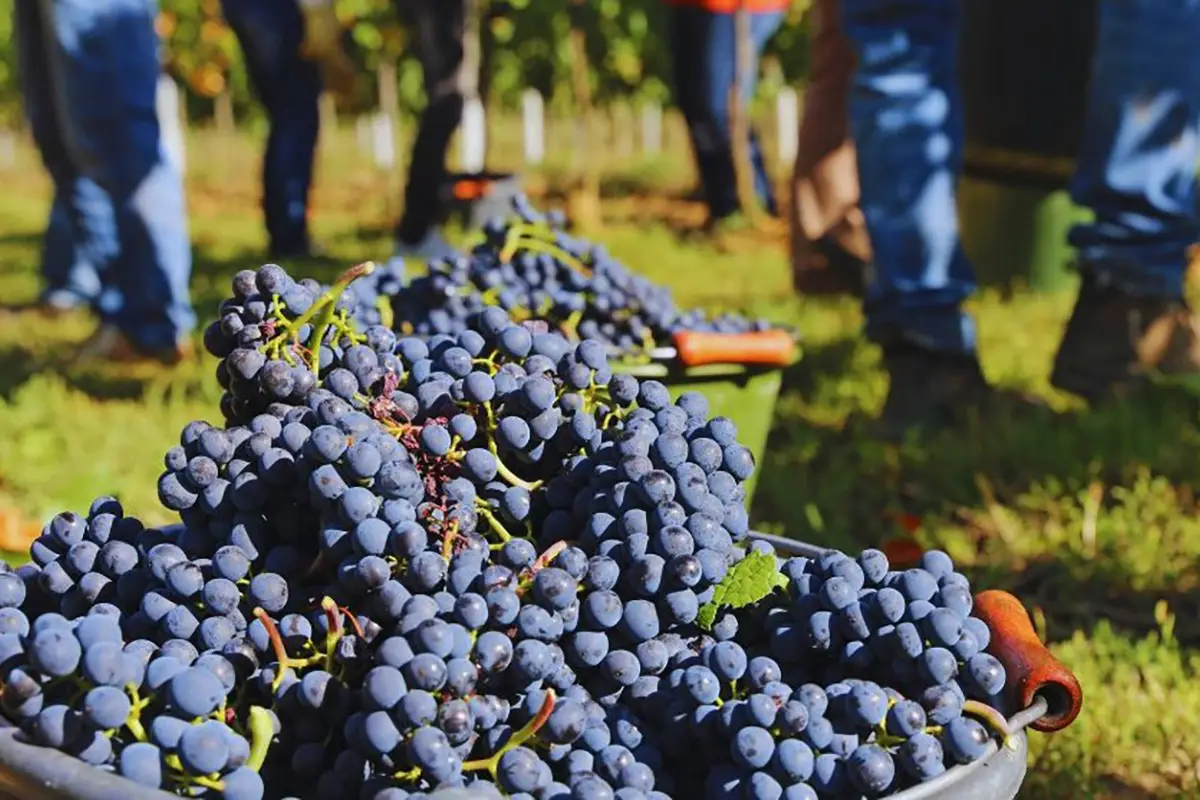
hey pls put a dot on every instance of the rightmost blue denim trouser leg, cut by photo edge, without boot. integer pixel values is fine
(1137, 167)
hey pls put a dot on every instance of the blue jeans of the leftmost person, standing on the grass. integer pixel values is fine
(89, 73)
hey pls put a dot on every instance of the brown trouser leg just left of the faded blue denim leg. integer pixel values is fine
(831, 251)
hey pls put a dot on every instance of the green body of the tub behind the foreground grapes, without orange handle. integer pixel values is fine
(746, 395)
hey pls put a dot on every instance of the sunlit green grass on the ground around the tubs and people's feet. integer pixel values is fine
(1089, 516)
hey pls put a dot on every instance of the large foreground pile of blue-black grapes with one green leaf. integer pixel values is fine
(479, 561)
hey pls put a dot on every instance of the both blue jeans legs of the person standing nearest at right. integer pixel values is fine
(1136, 172)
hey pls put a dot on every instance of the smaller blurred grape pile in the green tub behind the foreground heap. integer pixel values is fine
(532, 268)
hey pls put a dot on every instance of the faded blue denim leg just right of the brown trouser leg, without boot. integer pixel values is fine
(907, 119)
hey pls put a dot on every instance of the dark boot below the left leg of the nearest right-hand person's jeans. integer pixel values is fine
(929, 390)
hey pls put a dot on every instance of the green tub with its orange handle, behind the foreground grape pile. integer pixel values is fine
(740, 374)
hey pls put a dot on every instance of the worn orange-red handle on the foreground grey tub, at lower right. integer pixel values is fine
(1031, 669)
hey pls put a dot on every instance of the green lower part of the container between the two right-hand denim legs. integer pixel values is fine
(1017, 234)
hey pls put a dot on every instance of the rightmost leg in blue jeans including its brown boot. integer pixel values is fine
(1137, 173)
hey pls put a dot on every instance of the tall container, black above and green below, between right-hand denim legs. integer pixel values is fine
(1024, 68)
